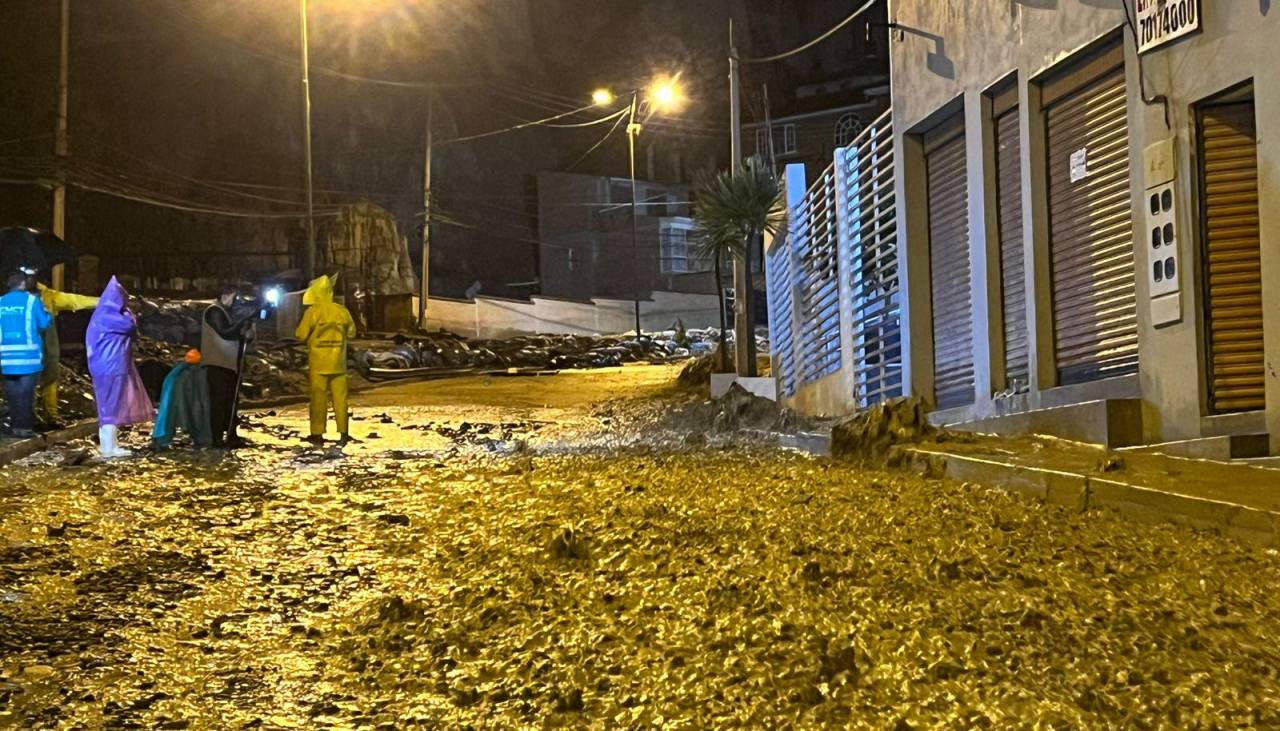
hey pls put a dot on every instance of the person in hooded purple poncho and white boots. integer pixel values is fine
(122, 399)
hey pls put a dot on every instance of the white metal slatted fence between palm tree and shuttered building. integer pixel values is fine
(834, 280)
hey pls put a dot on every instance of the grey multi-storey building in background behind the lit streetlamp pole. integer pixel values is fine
(586, 249)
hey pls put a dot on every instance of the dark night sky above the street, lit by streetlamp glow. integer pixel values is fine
(199, 104)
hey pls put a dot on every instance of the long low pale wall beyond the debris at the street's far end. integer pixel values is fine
(500, 318)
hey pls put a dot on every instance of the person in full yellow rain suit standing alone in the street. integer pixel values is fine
(326, 330)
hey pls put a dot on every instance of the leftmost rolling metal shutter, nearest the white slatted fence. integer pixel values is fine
(949, 275)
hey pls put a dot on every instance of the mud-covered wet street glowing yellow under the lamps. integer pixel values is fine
(515, 554)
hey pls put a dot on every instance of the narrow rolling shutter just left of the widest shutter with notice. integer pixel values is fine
(1013, 268)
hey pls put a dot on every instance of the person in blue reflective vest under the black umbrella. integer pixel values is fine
(24, 322)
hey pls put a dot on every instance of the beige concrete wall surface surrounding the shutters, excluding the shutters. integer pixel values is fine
(952, 54)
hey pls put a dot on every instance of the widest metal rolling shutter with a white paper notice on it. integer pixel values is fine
(1091, 235)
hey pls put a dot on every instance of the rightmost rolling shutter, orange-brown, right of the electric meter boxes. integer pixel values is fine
(1235, 258)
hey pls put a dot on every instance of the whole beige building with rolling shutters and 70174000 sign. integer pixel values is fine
(1090, 232)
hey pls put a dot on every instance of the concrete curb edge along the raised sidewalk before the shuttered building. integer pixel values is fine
(1081, 492)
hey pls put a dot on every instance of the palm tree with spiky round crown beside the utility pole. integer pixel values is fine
(734, 213)
